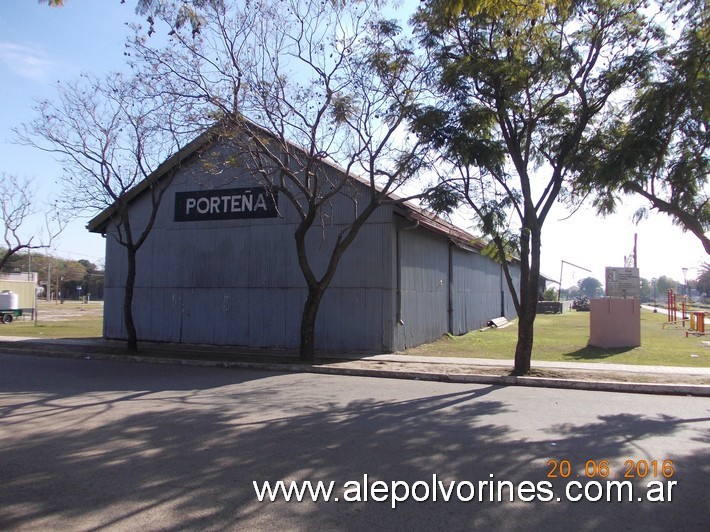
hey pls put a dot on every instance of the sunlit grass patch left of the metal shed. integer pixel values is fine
(67, 320)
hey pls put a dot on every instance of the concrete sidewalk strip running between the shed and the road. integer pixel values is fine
(668, 380)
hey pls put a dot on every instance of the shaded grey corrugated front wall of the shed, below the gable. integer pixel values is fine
(237, 282)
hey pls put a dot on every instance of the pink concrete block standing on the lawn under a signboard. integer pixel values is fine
(614, 323)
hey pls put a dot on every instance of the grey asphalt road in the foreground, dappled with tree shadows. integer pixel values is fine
(89, 445)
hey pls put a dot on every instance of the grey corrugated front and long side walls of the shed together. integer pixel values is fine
(237, 282)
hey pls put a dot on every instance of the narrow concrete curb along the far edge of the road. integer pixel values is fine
(697, 390)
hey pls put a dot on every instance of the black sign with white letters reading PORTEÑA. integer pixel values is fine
(226, 204)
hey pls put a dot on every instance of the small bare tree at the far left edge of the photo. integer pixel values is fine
(17, 206)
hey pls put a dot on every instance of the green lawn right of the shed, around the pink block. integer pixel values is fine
(563, 337)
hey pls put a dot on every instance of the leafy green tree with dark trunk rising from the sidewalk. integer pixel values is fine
(522, 87)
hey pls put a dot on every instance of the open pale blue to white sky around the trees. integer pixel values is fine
(41, 47)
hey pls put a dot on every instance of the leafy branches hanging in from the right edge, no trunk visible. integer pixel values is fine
(662, 151)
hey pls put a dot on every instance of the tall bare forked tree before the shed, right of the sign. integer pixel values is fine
(297, 86)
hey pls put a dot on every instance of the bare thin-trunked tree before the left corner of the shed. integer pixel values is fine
(110, 135)
